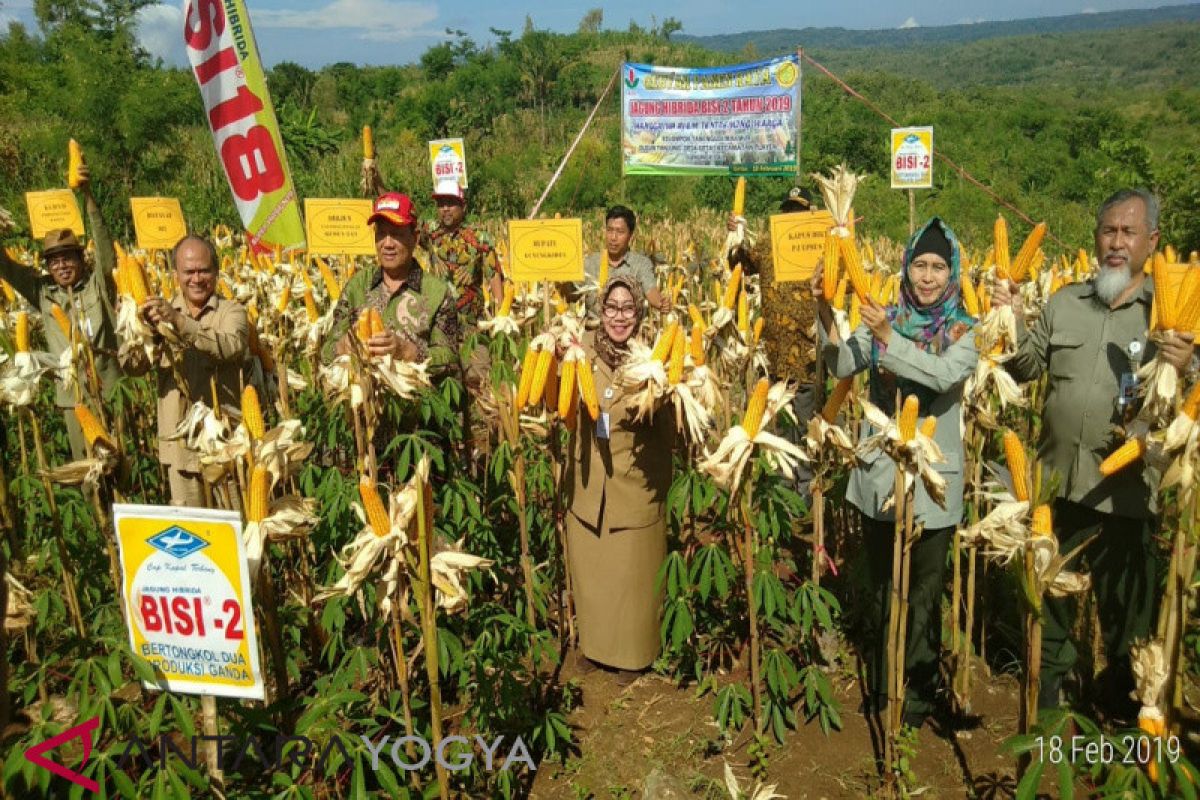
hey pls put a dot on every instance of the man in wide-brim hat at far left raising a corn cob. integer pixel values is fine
(87, 294)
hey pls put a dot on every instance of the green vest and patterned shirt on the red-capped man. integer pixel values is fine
(422, 311)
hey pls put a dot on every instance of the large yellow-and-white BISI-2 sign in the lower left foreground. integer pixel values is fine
(187, 593)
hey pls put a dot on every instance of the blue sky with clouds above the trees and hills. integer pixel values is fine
(315, 33)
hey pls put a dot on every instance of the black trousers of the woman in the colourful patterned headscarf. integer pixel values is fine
(927, 584)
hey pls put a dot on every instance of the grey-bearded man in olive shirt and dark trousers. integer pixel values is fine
(1091, 339)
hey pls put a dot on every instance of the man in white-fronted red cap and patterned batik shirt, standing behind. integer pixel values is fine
(466, 258)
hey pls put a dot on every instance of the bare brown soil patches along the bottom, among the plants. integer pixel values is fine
(655, 736)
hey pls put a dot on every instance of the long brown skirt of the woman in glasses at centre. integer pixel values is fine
(617, 603)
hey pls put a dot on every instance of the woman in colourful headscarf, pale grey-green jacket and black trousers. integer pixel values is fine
(922, 346)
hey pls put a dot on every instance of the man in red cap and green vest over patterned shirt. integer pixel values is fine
(417, 308)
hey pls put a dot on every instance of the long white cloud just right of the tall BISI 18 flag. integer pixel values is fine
(379, 21)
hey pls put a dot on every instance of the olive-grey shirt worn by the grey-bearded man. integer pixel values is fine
(1084, 347)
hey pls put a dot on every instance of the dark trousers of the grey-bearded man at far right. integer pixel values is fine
(1125, 568)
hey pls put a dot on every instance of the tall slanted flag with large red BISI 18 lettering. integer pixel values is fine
(225, 59)
